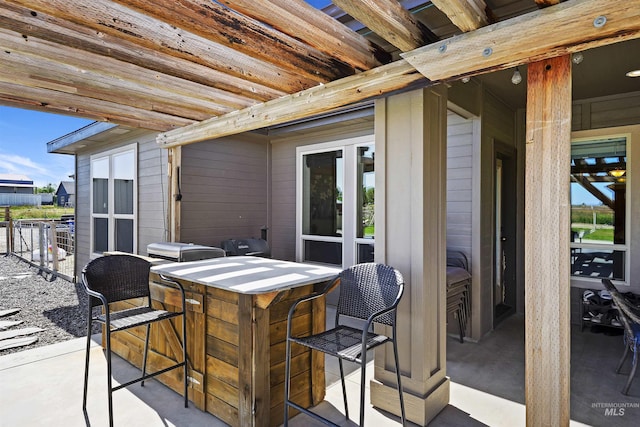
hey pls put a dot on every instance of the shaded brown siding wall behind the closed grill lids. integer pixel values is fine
(225, 189)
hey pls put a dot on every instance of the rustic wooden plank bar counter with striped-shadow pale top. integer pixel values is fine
(236, 330)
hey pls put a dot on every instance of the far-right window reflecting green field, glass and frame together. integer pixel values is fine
(600, 214)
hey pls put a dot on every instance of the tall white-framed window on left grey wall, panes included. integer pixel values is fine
(114, 200)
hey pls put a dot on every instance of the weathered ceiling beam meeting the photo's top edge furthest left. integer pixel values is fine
(111, 18)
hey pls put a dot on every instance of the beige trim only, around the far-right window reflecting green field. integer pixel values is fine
(592, 135)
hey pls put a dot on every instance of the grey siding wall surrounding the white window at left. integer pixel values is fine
(152, 190)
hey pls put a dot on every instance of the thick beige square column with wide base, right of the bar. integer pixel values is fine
(410, 131)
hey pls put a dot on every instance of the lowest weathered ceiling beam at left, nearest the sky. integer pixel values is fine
(58, 103)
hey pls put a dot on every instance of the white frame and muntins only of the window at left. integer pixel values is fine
(110, 215)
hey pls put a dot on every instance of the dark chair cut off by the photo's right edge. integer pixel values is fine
(630, 317)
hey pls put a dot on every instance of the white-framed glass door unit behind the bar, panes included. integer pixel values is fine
(335, 202)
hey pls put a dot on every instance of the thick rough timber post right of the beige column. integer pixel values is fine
(547, 228)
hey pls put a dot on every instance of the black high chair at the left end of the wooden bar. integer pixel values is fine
(115, 278)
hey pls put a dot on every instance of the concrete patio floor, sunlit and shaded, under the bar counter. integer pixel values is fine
(43, 387)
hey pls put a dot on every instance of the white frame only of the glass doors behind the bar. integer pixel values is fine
(348, 147)
